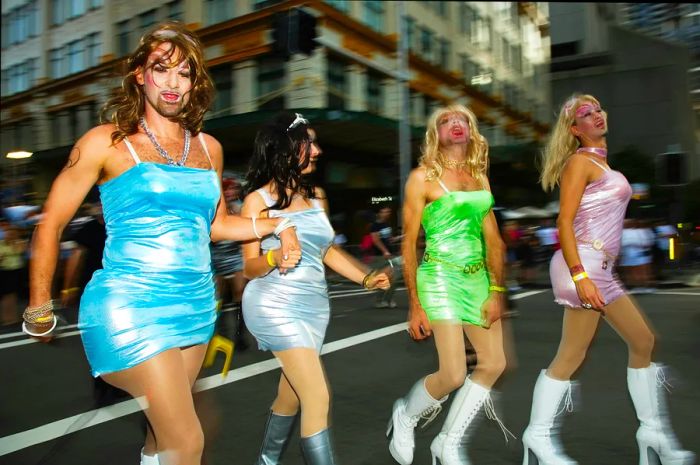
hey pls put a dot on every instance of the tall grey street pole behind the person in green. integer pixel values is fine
(405, 112)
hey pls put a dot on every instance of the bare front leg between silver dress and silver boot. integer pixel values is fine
(302, 368)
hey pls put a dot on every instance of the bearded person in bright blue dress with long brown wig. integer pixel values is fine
(147, 316)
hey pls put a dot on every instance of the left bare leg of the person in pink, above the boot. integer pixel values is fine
(578, 329)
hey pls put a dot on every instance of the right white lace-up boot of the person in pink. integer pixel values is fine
(655, 437)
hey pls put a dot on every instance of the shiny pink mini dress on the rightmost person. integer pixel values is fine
(598, 231)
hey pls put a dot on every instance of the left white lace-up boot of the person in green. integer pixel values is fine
(405, 416)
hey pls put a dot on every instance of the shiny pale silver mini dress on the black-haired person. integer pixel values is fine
(286, 311)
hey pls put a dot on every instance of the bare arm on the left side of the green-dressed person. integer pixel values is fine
(414, 203)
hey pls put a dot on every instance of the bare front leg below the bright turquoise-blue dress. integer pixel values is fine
(164, 381)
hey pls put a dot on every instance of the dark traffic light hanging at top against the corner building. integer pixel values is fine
(294, 31)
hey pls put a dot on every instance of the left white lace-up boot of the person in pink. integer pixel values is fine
(541, 438)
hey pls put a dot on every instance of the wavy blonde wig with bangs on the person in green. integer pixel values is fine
(433, 160)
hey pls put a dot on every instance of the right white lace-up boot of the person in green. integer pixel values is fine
(447, 447)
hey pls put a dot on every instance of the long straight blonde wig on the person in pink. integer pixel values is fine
(561, 143)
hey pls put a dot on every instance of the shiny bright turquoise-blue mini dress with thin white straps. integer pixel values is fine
(155, 291)
